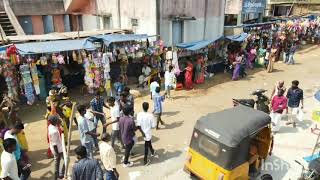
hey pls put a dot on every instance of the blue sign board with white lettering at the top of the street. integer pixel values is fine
(253, 6)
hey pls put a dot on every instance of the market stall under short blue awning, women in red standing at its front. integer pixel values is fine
(200, 59)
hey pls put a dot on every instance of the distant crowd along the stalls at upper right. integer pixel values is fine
(264, 48)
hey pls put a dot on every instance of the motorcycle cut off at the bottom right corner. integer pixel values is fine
(312, 172)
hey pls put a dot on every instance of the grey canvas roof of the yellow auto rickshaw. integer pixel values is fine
(231, 126)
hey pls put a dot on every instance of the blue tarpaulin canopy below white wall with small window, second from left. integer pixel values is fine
(111, 38)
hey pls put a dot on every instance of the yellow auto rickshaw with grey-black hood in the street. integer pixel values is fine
(229, 145)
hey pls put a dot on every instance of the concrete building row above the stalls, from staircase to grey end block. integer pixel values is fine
(175, 21)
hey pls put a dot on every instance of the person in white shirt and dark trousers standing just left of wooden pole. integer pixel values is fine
(55, 143)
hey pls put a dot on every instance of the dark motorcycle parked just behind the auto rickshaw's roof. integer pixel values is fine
(261, 101)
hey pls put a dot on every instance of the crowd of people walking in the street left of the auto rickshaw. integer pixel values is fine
(123, 127)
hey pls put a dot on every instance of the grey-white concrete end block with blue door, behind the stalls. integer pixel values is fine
(190, 20)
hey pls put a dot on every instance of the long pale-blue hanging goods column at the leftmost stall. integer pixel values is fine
(27, 83)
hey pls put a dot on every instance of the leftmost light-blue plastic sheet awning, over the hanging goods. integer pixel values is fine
(54, 46)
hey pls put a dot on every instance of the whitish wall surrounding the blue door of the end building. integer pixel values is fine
(210, 27)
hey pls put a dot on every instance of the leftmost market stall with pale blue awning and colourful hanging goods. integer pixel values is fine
(32, 69)
